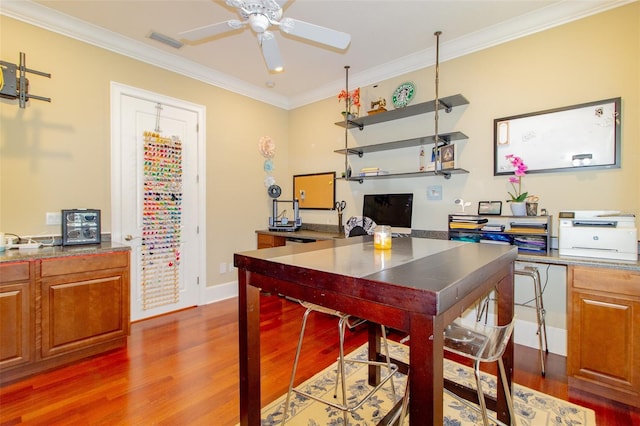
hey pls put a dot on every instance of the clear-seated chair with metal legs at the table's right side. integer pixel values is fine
(480, 343)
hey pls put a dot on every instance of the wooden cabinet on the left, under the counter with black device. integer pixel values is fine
(57, 310)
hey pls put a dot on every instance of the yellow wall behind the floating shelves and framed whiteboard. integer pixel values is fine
(588, 60)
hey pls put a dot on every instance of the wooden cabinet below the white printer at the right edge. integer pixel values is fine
(604, 332)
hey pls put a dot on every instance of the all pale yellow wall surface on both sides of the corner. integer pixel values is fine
(56, 155)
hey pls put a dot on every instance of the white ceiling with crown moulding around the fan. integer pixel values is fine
(388, 38)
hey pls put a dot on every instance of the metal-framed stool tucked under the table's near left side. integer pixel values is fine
(341, 379)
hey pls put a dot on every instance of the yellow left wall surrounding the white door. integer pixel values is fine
(56, 156)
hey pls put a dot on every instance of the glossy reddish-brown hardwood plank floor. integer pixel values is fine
(182, 369)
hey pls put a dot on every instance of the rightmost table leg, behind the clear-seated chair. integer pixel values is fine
(505, 315)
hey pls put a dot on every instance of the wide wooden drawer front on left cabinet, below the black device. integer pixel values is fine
(75, 264)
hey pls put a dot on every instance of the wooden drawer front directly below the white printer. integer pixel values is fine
(609, 280)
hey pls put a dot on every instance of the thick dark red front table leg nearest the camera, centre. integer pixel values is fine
(426, 370)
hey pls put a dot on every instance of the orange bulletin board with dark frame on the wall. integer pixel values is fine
(315, 191)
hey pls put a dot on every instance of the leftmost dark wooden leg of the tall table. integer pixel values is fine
(249, 334)
